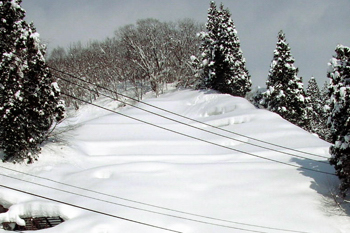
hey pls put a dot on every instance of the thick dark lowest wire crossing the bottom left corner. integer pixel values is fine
(90, 210)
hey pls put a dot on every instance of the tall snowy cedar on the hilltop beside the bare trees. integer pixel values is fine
(222, 65)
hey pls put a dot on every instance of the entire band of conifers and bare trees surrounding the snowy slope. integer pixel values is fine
(148, 56)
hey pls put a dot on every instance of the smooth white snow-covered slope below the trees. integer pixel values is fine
(141, 167)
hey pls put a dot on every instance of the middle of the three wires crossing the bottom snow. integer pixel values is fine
(159, 213)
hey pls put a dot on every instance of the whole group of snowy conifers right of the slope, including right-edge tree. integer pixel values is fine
(325, 112)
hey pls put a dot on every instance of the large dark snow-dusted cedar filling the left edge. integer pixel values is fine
(29, 98)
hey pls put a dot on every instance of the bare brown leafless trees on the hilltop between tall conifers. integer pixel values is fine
(141, 57)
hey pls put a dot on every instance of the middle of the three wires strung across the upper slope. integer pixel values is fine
(192, 126)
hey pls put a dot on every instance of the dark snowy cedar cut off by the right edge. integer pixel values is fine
(339, 119)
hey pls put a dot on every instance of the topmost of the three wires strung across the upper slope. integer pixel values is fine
(188, 118)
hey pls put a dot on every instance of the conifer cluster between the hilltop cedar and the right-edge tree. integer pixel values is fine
(285, 94)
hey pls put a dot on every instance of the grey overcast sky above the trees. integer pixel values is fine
(313, 28)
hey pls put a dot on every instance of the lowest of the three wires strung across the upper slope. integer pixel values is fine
(199, 139)
